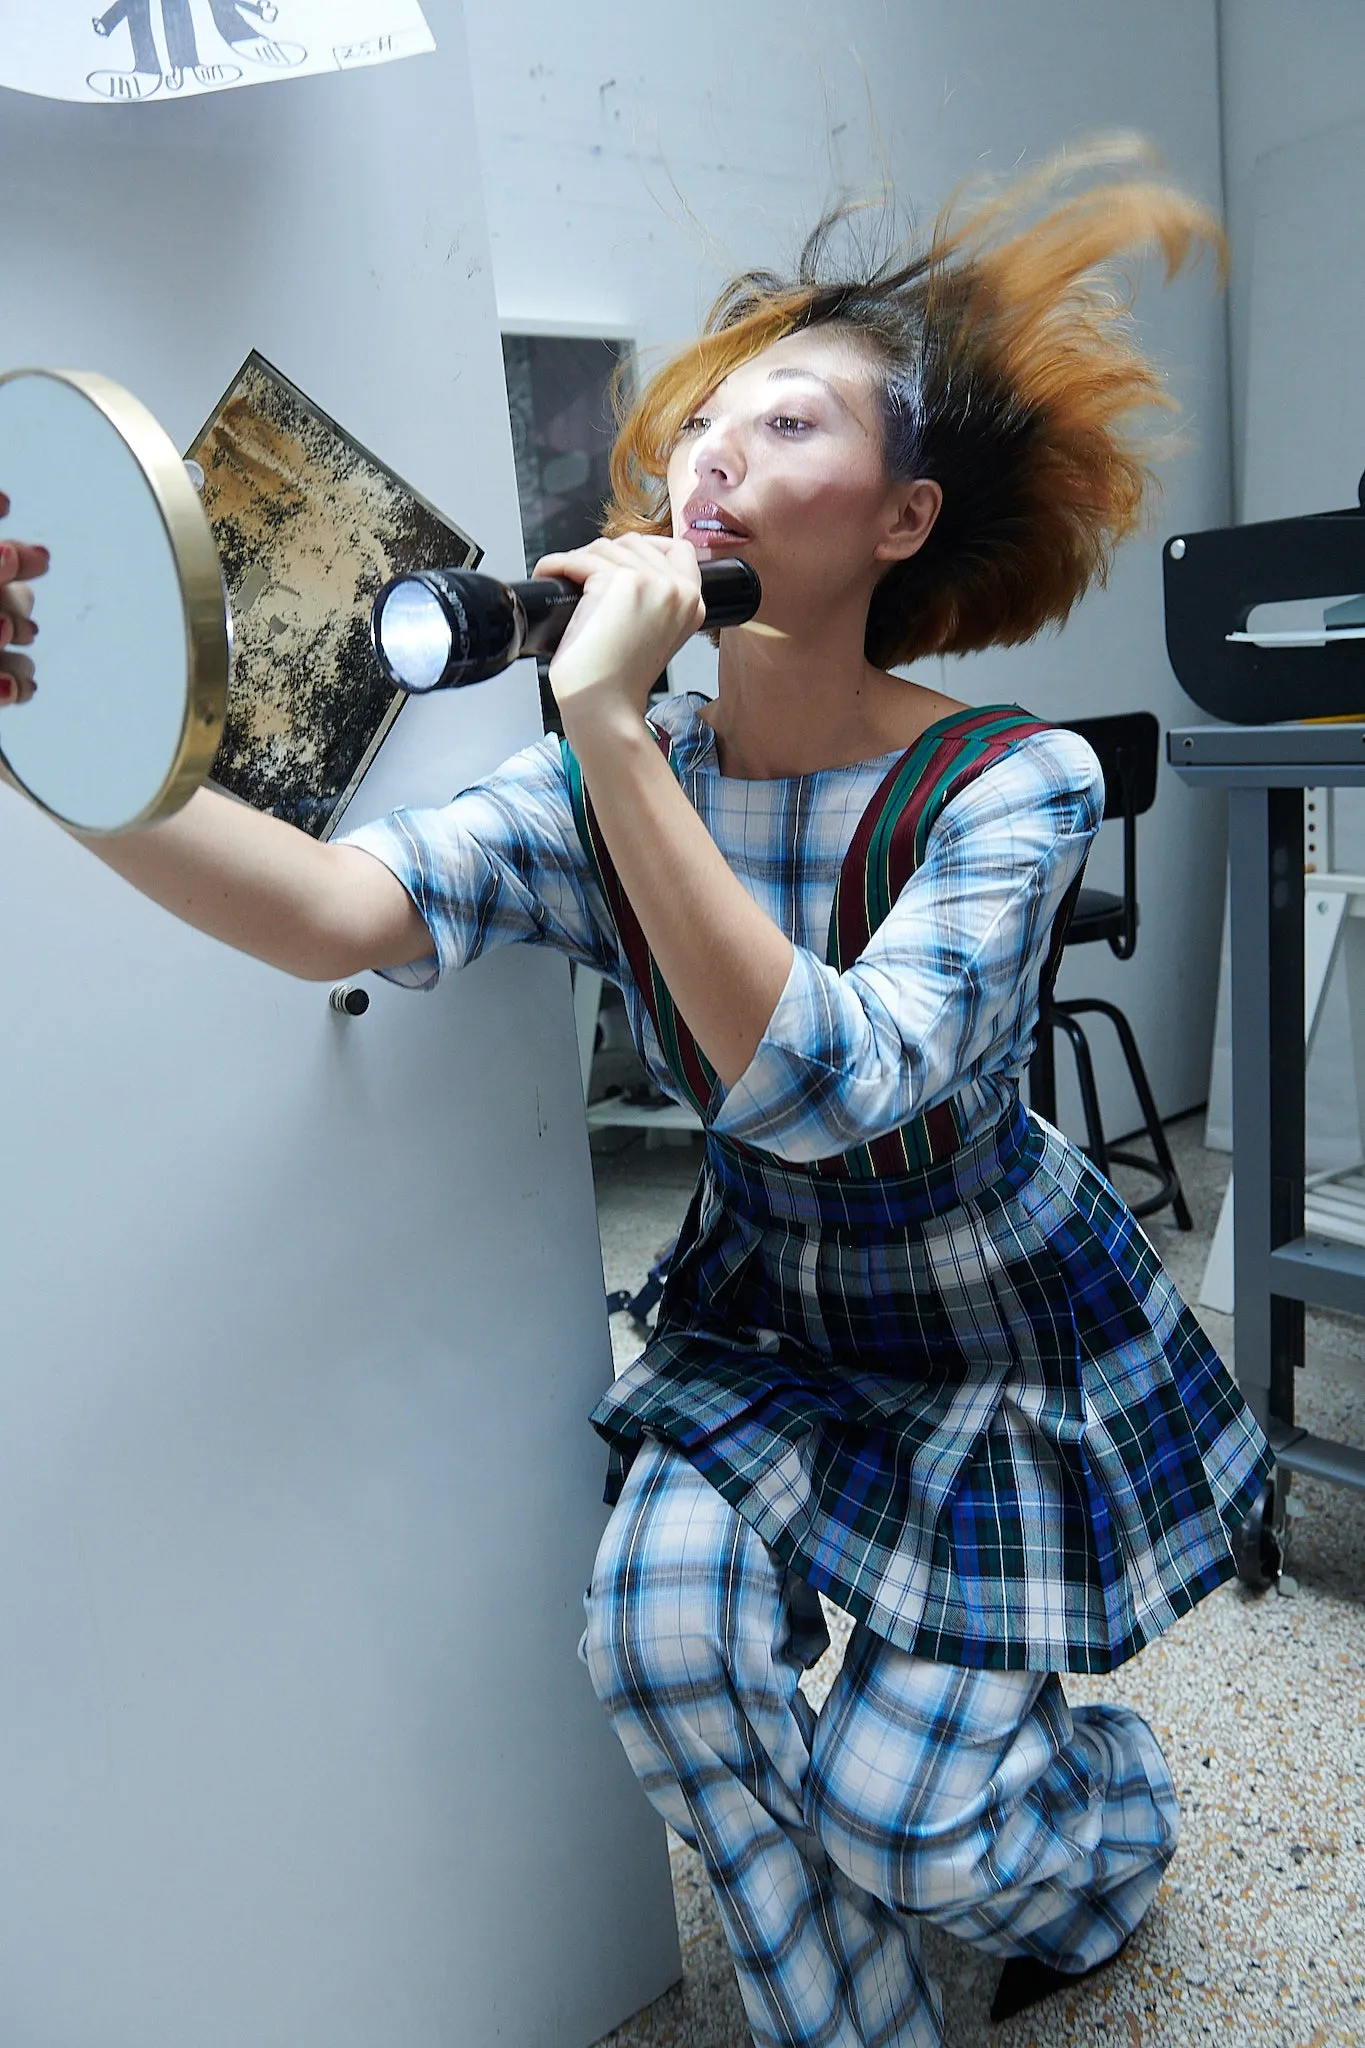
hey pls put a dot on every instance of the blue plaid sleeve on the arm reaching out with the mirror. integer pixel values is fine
(496, 867)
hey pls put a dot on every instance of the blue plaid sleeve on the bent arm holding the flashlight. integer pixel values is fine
(949, 986)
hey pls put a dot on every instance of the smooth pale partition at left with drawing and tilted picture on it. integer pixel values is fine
(302, 1318)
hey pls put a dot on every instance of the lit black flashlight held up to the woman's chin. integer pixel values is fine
(447, 628)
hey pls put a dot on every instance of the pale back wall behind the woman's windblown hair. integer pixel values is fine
(633, 161)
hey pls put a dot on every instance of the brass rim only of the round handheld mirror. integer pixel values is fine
(208, 622)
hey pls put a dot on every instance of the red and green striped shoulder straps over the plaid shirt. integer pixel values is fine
(883, 855)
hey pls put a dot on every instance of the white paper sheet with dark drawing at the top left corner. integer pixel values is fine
(144, 50)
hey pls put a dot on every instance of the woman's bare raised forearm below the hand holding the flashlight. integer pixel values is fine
(723, 959)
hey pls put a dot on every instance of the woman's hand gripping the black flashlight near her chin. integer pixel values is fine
(642, 601)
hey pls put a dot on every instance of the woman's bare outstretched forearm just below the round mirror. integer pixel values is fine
(269, 890)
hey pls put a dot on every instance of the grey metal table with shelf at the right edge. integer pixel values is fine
(1278, 1267)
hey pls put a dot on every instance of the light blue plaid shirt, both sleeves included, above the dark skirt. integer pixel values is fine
(942, 1002)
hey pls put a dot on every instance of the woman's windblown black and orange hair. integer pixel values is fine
(1010, 374)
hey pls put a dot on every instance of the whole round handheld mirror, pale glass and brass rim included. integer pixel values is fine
(132, 652)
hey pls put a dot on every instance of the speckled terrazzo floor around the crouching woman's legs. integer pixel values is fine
(1260, 1930)
